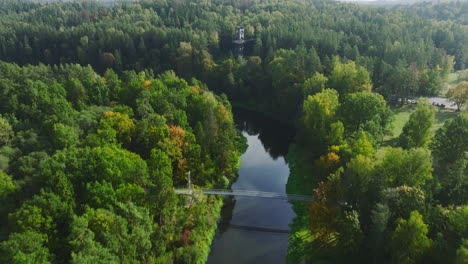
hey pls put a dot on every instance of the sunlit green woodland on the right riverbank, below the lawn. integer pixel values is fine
(374, 202)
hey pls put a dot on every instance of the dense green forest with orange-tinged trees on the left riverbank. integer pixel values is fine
(88, 164)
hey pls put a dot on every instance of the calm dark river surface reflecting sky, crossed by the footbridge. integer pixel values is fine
(254, 230)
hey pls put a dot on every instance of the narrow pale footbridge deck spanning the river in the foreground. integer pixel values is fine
(245, 193)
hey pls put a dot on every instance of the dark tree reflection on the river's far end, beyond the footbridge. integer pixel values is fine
(275, 137)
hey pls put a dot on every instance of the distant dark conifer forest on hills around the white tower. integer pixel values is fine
(405, 54)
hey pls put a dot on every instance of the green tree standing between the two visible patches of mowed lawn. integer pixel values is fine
(417, 131)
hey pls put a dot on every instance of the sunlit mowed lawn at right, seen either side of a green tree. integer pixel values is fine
(402, 115)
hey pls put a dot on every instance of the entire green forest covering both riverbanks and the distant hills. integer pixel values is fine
(105, 107)
